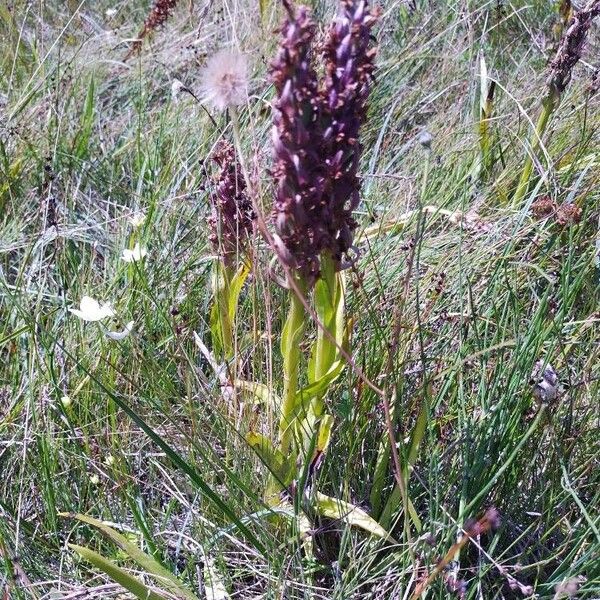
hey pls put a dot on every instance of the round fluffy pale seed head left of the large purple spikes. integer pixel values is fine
(225, 79)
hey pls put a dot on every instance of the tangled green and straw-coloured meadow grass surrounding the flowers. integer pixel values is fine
(454, 303)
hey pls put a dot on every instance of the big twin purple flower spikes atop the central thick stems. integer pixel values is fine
(316, 135)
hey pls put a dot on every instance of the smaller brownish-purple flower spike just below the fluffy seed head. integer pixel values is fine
(232, 216)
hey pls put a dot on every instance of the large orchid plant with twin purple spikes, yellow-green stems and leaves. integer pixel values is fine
(317, 151)
